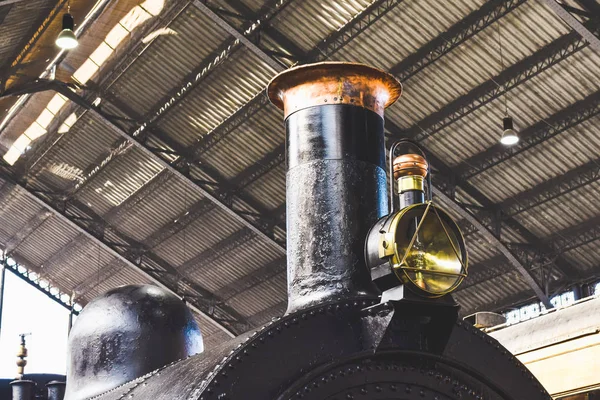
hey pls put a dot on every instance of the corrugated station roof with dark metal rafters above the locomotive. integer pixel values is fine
(162, 161)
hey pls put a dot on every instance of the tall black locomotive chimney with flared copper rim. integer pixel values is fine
(336, 179)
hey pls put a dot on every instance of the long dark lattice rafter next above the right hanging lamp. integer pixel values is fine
(524, 70)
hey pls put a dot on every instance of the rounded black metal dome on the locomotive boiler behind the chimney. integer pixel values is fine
(126, 333)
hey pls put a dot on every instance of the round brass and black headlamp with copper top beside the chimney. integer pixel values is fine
(420, 243)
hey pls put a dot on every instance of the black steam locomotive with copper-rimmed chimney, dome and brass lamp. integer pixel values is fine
(370, 313)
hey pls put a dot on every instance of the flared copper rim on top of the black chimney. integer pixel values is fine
(334, 83)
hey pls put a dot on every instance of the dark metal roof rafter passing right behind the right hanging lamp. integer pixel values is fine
(538, 133)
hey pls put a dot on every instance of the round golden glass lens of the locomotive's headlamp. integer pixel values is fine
(431, 263)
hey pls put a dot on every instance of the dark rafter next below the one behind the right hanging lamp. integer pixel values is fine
(553, 188)
